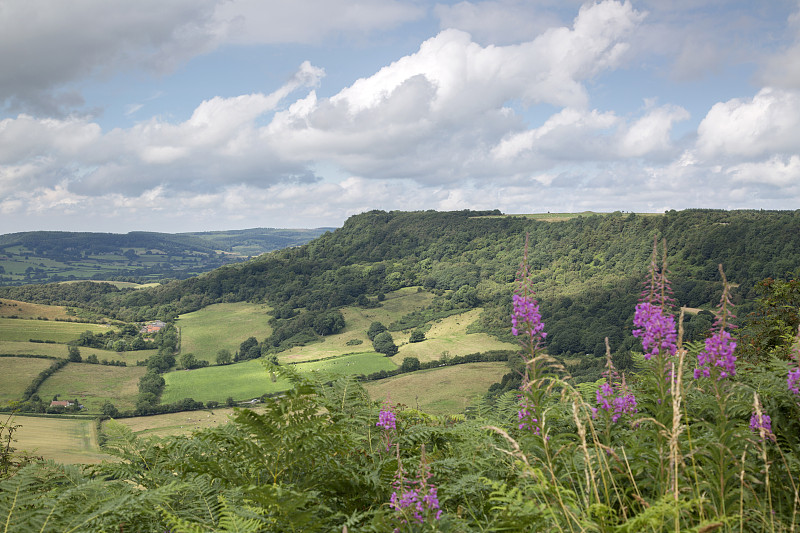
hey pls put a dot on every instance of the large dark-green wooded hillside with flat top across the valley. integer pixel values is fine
(587, 271)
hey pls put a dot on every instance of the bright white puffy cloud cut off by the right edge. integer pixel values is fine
(765, 124)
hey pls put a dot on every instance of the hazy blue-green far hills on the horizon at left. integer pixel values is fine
(54, 256)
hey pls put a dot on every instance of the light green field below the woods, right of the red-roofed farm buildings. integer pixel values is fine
(219, 326)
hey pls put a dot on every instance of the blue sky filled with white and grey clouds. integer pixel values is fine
(199, 115)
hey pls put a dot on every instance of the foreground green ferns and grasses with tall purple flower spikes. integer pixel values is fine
(696, 440)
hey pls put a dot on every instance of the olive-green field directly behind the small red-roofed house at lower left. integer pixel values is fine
(92, 385)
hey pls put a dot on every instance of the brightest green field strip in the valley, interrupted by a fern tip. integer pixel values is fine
(250, 379)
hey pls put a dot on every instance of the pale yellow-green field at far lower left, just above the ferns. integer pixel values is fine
(71, 441)
